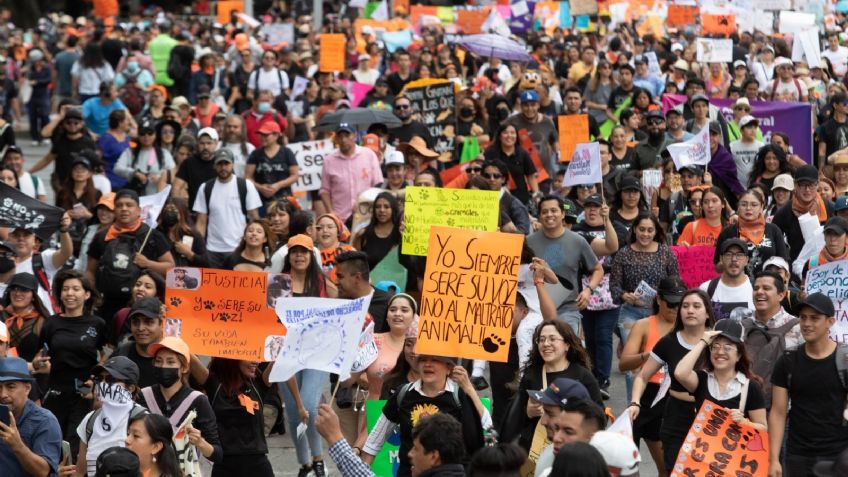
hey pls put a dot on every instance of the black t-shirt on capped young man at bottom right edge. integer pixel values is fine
(818, 400)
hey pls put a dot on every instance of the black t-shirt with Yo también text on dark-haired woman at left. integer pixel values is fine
(74, 344)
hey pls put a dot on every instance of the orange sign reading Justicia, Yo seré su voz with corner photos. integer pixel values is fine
(225, 313)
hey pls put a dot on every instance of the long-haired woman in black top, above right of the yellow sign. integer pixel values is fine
(522, 171)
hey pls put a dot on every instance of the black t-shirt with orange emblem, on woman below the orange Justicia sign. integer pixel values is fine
(241, 432)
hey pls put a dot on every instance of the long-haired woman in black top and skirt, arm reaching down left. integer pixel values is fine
(694, 316)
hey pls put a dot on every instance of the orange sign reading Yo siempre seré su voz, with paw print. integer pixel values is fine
(469, 293)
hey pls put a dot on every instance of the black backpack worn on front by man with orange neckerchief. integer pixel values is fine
(116, 272)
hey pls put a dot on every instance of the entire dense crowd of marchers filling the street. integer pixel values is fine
(92, 382)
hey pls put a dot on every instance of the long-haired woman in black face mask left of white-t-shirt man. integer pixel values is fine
(188, 246)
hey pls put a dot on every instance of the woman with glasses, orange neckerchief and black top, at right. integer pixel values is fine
(765, 240)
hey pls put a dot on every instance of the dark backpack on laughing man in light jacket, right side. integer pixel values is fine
(764, 347)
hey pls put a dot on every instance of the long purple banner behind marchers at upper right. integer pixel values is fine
(794, 119)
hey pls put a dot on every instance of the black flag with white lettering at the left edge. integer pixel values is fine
(22, 211)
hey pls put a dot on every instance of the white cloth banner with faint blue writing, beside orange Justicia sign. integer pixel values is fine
(323, 334)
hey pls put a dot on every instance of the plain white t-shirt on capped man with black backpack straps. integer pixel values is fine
(226, 222)
